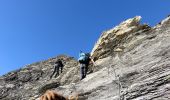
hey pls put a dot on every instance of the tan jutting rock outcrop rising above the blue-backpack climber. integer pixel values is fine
(112, 38)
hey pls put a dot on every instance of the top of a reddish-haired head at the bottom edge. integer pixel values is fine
(51, 95)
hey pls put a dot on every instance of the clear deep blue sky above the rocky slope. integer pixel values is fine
(35, 30)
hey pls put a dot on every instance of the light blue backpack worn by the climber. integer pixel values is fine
(83, 57)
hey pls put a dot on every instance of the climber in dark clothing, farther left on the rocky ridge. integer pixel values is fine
(57, 67)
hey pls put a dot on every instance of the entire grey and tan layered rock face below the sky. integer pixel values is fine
(132, 63)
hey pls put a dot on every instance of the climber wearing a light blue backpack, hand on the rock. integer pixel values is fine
(84, 60)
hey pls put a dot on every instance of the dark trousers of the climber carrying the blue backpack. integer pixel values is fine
(83, 70)
